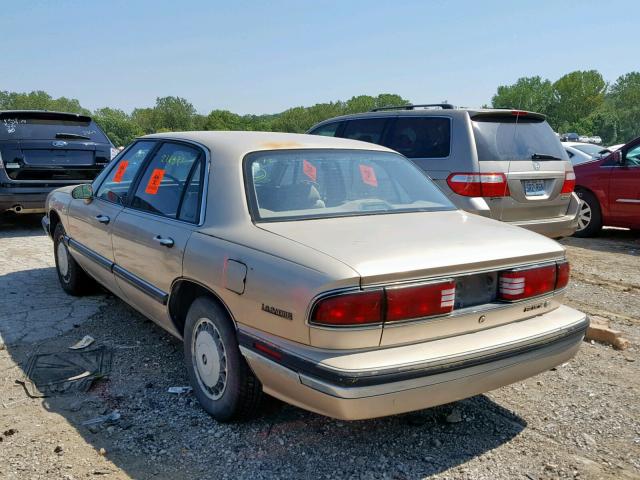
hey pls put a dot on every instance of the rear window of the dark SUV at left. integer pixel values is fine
(20, 126)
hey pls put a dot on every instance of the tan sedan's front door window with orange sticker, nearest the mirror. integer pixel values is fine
(117, 182)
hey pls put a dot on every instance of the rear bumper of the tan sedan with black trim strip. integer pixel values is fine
(346, 393)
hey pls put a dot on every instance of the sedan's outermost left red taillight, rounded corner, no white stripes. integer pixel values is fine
(359, 308)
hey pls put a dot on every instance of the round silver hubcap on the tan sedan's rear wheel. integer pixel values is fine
(210, 359)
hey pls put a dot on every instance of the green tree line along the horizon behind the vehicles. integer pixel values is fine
(581, 101)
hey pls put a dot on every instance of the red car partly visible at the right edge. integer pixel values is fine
(609, 191)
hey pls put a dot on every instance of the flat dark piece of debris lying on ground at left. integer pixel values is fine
(59, 373)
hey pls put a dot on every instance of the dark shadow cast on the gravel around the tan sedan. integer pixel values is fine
(163, 435)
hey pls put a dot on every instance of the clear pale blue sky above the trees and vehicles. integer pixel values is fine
(266, 56)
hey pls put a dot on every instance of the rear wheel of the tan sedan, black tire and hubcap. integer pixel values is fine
(228, 390)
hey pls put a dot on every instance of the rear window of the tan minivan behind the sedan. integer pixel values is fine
(506, 138)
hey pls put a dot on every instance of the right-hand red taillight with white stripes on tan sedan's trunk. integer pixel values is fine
(525, 283)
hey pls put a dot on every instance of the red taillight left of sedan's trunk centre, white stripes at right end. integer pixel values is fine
(404, 303)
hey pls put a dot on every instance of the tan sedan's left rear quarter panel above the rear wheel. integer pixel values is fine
(277, 279)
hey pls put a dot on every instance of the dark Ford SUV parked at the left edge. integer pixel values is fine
(41, 150)
